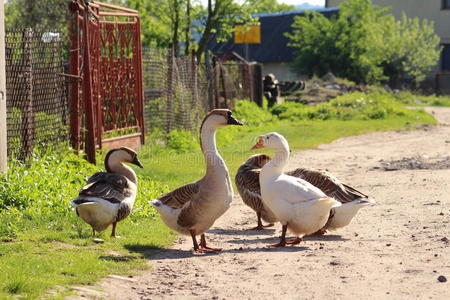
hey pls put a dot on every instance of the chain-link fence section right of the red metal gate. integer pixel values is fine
(173, 98)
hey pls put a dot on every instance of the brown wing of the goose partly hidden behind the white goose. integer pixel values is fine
(329, 184)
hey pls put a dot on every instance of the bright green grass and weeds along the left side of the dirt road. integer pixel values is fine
(44, 244)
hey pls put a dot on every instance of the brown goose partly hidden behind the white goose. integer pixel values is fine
(352, 200)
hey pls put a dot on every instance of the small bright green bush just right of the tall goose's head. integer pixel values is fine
(251, 114)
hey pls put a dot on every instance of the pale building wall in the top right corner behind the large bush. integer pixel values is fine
(437, 11)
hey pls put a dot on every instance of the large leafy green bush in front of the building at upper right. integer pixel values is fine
(364, 44)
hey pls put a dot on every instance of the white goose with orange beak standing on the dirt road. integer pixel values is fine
(297, 204)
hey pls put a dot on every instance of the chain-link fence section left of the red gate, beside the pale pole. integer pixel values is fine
(36, 94)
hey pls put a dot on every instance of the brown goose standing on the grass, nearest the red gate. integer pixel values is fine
(108, 197)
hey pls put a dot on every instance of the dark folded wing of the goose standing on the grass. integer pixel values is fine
(109, 186)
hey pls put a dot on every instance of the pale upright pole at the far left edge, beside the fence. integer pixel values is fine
(3, 145)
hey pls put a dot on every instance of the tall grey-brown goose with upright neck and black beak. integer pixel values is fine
(193, 208)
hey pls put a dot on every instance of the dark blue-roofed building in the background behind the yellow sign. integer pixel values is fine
(272, 51)
